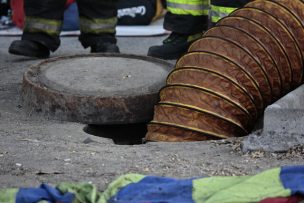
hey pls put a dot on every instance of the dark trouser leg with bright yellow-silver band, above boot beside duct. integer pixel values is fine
(187, 16)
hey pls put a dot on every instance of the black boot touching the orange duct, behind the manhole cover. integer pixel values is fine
(173, 47)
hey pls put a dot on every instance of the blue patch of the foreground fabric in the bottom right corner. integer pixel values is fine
(292, 177)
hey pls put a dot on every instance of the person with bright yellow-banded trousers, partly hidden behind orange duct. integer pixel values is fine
(188, 19)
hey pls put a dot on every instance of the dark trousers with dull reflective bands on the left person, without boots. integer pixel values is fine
(44, 19)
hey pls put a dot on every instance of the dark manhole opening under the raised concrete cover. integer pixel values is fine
(129, 134)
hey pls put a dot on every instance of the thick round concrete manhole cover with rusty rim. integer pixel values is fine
(95, 89)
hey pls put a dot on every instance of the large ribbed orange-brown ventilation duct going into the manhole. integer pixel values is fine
(223, 84)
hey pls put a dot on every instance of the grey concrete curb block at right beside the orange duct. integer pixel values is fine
(282, 125)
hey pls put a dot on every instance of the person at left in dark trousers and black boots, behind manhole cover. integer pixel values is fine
(43, 24)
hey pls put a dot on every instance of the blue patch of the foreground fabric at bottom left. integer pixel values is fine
(44, 192)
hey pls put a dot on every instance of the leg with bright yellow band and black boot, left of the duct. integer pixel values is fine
(186, 19)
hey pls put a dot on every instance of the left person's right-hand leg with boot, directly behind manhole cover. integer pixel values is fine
(98, 19)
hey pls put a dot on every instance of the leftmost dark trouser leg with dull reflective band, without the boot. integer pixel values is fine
(43, 21)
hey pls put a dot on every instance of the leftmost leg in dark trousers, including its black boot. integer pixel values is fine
(42, 27)
